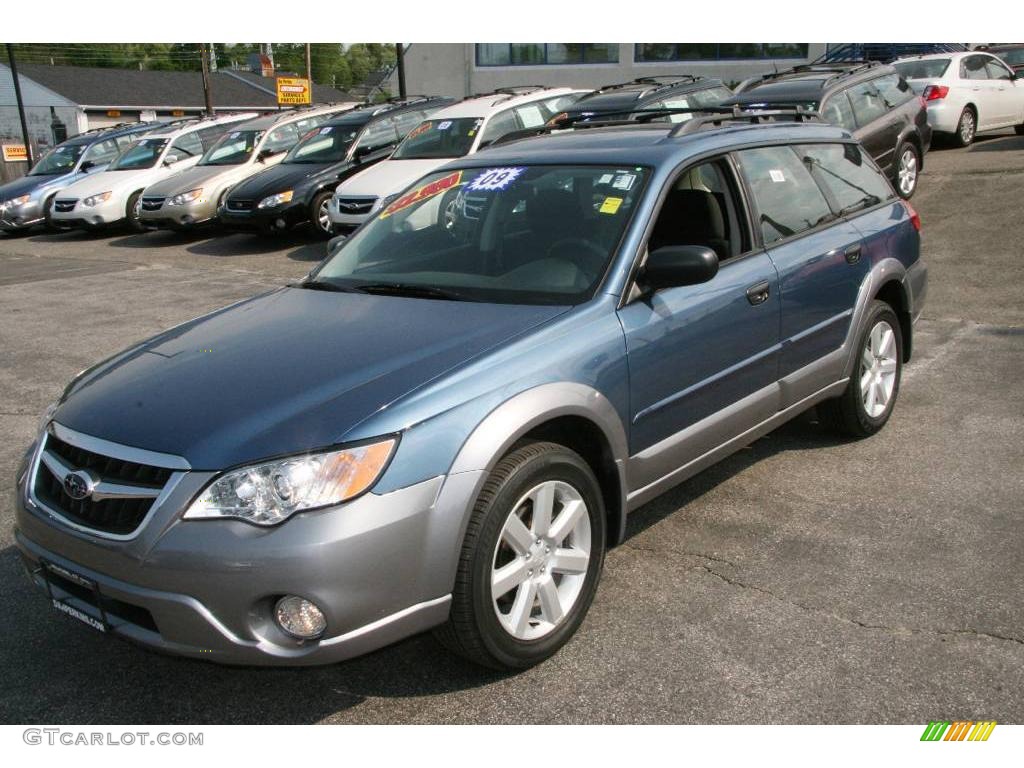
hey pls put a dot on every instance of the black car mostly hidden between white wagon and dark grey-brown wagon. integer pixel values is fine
(664, 93)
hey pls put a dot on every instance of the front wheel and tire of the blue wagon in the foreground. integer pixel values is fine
(531, 560)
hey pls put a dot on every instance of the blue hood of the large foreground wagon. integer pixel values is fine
(287, 372)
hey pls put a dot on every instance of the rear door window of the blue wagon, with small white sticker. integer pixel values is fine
(788, 199)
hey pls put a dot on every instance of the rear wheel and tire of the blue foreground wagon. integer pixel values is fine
(871, 395)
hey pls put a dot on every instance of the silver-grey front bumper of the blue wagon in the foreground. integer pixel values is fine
(207, 588)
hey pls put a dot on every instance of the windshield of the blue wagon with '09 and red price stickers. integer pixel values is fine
(535, 235)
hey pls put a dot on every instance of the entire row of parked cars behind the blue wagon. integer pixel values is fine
(335, 166)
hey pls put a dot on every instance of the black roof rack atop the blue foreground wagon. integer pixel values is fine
(709, 116)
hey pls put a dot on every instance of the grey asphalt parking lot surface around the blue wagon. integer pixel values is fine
(804, 580)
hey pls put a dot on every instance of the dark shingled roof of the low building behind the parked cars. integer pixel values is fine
(92, 87)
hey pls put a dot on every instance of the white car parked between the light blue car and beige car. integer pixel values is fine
(115, 196)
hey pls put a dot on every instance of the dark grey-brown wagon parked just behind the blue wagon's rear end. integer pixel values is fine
(870, 100)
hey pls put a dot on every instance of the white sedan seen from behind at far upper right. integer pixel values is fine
(966, 93)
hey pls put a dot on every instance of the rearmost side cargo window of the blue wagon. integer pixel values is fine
(845, 172)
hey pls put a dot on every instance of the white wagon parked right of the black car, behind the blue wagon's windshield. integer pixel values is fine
(453, 133)
